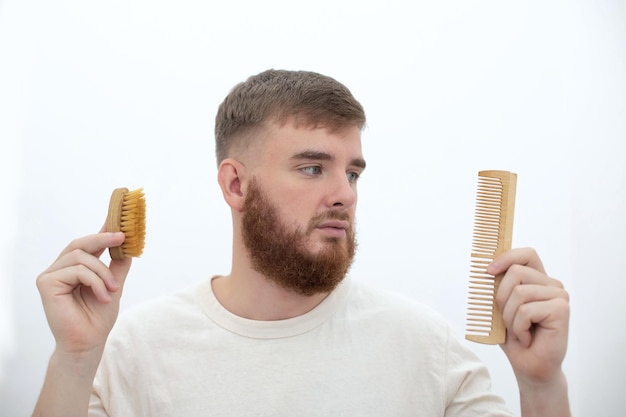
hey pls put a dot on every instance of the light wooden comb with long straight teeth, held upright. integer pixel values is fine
(493, 227)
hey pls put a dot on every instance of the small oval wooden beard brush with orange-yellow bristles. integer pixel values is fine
(127, 213)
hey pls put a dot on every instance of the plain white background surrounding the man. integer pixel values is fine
(97, 95)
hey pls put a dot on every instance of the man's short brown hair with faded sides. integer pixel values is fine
(310, 99)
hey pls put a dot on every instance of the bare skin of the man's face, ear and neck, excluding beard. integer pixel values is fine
(304, 173)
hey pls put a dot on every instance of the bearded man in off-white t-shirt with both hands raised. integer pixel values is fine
(285, 333)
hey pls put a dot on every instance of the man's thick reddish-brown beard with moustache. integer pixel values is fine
(281, 254)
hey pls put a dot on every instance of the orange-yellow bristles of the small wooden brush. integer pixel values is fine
(133, 222)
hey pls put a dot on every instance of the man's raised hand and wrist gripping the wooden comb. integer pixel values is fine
(535, 308)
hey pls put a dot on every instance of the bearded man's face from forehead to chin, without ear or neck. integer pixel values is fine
(298, 216)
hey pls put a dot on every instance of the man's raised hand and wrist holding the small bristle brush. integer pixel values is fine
(81, 296)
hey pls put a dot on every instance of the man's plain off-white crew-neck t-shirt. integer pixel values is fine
(359, 353)
